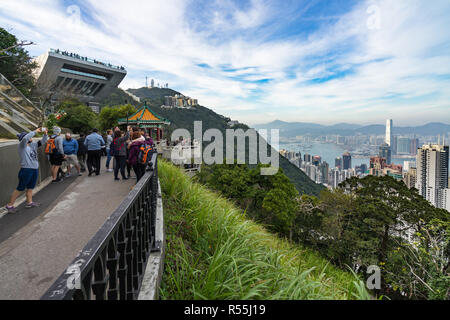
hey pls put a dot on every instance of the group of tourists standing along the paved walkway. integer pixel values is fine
(81, 154)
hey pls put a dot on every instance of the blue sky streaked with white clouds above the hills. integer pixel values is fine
(256, 61)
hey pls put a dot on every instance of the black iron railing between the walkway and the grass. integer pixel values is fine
(112, 264)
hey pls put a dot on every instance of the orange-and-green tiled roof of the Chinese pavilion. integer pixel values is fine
(146, 118)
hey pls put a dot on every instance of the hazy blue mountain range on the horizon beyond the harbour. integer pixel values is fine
(292, 129)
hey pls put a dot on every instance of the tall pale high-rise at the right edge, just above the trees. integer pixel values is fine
(432, 174)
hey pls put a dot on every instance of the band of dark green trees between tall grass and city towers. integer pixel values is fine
(370, 221)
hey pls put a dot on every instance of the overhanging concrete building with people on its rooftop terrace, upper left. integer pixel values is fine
(67, 74)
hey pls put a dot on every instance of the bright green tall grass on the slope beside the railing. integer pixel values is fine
(215, 252)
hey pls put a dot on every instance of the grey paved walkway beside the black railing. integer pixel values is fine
(37, 245)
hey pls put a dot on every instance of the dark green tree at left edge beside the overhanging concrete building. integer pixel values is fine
(15, 62)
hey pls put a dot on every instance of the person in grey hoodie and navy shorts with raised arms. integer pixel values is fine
(29, 168)
